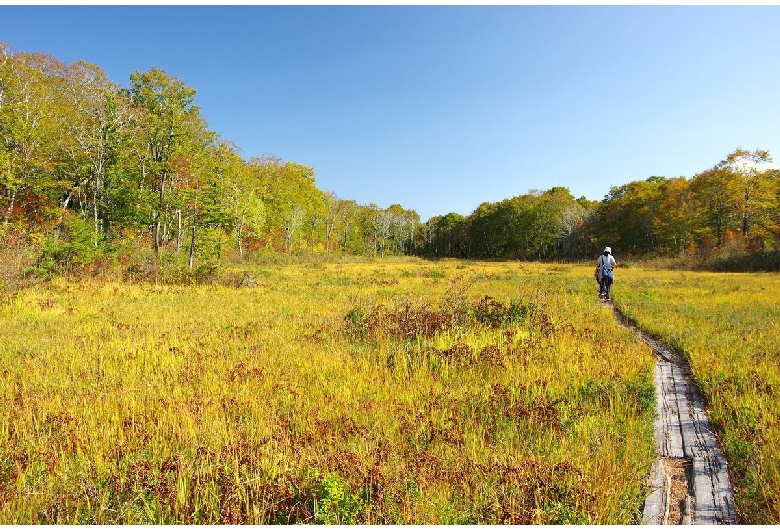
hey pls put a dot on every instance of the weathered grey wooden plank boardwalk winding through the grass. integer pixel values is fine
(690, 482)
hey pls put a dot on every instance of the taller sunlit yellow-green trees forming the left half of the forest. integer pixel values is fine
(87, 163)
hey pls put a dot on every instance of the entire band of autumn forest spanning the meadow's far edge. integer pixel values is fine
(90, 170)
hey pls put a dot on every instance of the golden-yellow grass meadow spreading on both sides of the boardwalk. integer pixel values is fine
(394, 391)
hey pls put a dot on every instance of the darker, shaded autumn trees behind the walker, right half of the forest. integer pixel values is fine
(727, 212)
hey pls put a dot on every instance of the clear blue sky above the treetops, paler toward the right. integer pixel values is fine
(442, 108)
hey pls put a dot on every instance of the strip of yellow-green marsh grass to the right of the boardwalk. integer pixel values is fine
(728, 326)
